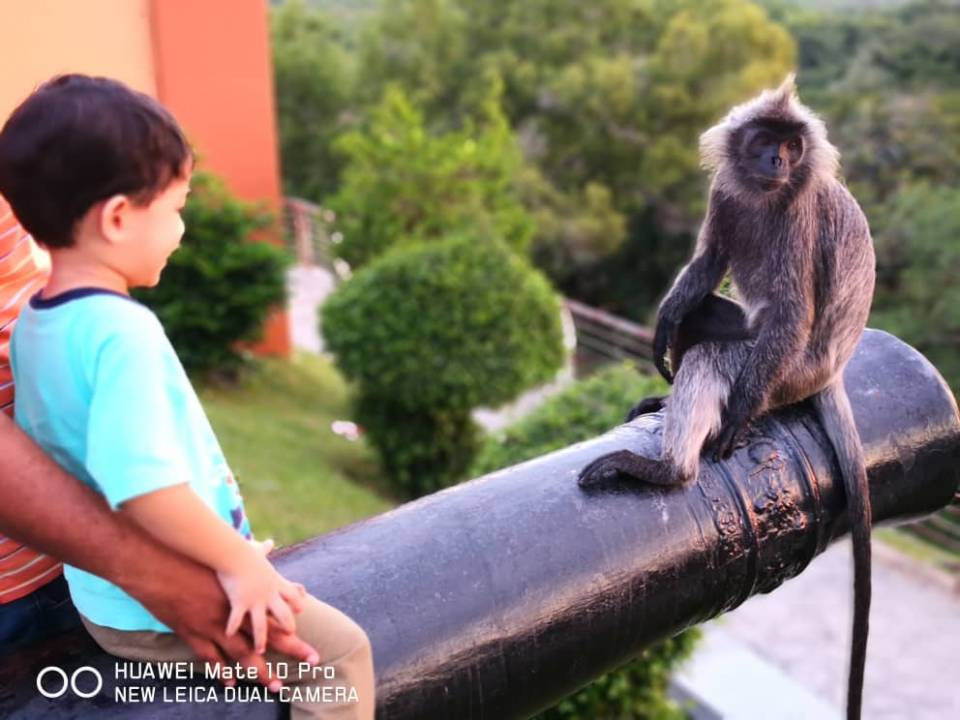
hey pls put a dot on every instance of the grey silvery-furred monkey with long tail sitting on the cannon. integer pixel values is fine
(798, 249)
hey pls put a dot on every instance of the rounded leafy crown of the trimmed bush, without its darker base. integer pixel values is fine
(449, 325)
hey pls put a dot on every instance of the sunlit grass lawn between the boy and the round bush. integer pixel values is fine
(298, 479)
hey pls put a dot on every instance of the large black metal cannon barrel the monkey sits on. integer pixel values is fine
(498, 597)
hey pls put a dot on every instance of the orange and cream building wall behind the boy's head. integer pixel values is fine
(206, 60)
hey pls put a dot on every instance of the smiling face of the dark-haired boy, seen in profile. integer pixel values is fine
(155, 230)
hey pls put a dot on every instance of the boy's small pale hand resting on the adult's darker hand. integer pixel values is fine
(254, 587)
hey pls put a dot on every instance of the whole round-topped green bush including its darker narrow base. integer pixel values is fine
(432, 331)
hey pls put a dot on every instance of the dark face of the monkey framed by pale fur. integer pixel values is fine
(769, 153)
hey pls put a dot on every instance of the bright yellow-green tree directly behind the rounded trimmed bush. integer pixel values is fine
(403, 184)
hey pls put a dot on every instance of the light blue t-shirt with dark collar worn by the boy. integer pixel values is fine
(101, 390)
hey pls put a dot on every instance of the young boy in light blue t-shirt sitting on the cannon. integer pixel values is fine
(98, 174)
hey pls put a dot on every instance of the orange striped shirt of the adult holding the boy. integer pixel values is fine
(23, 271)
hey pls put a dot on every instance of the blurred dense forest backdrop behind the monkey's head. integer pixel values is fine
(605, 101)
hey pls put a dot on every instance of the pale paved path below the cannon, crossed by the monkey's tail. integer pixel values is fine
(913, 660)
